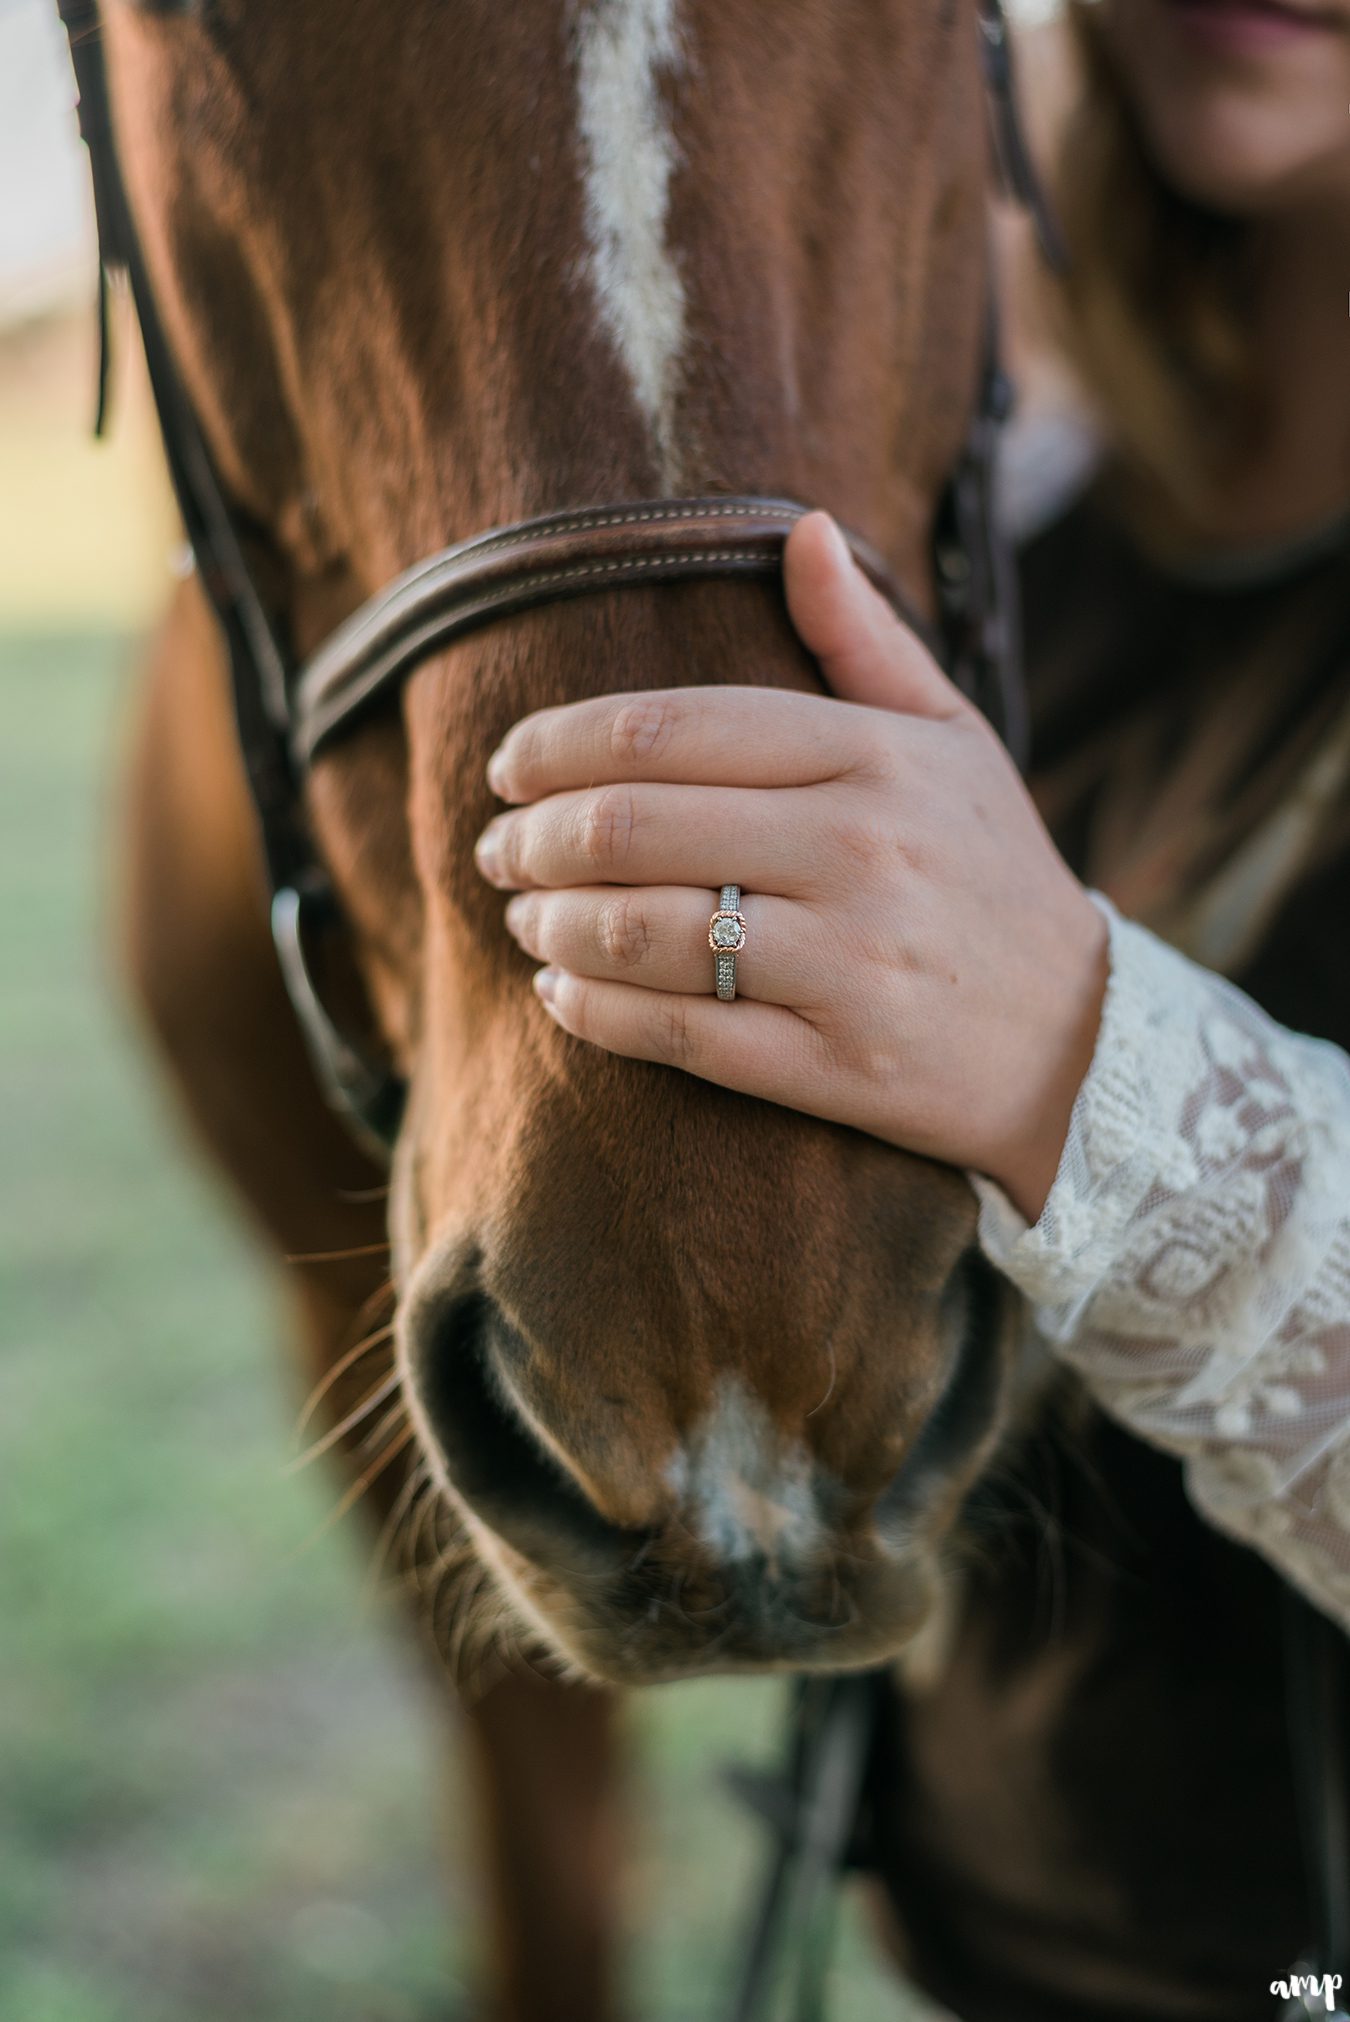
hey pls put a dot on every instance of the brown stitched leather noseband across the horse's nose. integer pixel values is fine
(541, 563)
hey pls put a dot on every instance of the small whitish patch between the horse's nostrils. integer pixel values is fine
(747, 1491)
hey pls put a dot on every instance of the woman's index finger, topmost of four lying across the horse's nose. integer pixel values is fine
(686, 737)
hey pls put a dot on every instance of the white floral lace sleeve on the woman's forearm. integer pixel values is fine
(1193, 1259)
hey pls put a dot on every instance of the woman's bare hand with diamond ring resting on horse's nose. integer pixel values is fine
(919, 961)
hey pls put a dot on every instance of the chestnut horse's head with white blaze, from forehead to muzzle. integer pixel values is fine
(704, 1380)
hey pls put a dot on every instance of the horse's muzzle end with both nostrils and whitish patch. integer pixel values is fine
(725, 1544)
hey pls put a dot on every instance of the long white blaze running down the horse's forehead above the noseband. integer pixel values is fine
(630, 153)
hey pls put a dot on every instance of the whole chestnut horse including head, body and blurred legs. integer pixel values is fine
(674, 1380)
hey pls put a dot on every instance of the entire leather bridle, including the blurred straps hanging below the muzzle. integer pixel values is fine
(288, 715)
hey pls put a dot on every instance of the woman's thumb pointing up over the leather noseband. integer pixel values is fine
(866, 652)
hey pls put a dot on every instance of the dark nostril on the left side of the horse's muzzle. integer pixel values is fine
(492, 1457)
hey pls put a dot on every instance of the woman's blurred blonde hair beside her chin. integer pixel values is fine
(1155, 306)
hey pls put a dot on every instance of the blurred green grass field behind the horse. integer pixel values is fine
(215, 1768)
